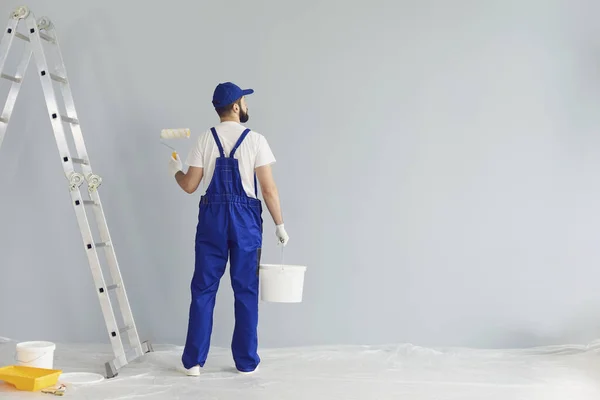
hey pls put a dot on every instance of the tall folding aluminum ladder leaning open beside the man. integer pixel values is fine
(37, 31)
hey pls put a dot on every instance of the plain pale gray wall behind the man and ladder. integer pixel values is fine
(438, 167)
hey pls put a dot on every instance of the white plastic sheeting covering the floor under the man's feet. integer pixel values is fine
(338, 372)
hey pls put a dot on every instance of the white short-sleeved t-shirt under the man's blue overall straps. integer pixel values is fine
(254, 152)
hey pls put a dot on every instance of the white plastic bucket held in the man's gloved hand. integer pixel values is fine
(281, 283)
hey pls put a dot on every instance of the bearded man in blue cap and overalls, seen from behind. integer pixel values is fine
(231, 158)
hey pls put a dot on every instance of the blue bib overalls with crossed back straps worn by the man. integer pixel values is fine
(229, 224)
